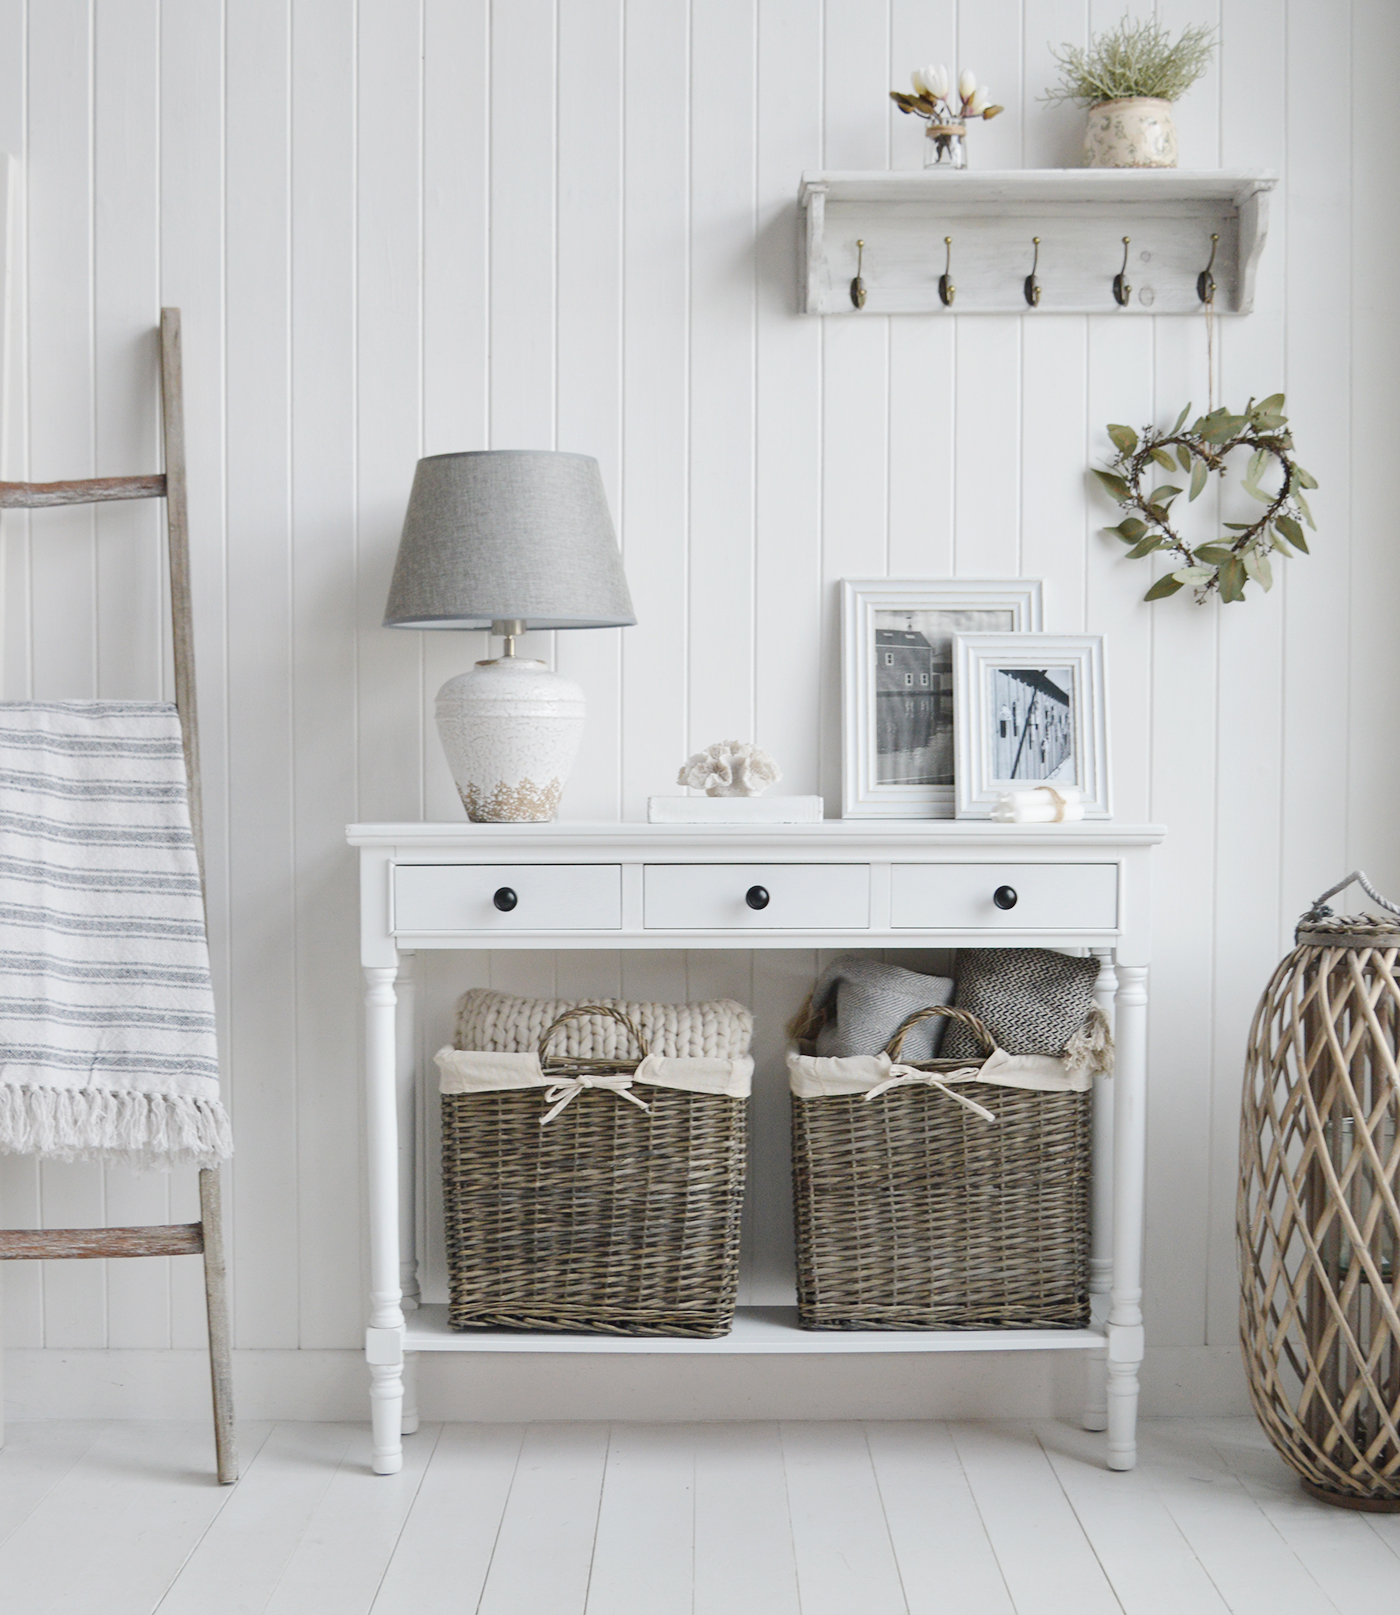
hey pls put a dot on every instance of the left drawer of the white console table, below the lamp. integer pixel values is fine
(479, 897)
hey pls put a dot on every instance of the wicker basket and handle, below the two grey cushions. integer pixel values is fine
(913, 1214)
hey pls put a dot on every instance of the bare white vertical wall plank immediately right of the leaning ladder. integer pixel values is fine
(262, 858)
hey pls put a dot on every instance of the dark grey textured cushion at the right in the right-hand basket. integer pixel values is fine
(1031, 1000)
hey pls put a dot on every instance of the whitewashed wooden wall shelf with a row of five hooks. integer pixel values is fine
(1079, 214)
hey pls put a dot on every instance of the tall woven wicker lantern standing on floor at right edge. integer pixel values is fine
(1318, 1220)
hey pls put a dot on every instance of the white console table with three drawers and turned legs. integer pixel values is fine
(840, 884)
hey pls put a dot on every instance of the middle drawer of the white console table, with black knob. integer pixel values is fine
(757, 897)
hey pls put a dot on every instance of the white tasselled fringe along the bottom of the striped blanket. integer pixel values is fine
(143, 1131)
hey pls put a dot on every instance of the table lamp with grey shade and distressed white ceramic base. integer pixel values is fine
(509, 540)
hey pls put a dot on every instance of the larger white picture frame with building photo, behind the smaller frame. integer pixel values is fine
(897, 684)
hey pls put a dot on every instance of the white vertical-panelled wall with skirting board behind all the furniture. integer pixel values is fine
(408, 227)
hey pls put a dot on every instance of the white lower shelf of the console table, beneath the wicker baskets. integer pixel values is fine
(758, 1332)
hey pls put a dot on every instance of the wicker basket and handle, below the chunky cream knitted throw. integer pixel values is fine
(610, 1219)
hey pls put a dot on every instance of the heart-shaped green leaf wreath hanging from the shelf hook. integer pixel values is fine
(1197, 451)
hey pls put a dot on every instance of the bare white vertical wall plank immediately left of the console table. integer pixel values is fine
(324, 661)
